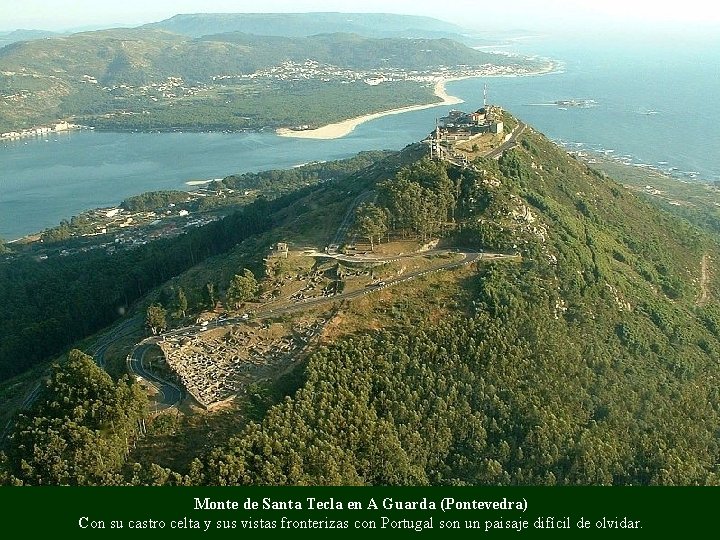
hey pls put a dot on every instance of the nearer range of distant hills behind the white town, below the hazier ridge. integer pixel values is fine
(126, 55)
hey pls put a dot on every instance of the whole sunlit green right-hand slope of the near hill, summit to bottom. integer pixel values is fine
(591, 361)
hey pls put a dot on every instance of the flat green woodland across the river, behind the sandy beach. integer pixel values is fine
(250, 106)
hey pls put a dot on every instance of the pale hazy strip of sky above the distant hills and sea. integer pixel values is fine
(531, 14)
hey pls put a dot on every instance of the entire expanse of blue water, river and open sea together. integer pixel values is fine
(658, 106)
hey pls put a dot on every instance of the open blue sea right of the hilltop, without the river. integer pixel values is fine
(657, 100)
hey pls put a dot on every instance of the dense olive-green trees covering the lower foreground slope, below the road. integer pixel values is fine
(509, 396)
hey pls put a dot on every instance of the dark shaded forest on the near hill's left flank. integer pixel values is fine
(49, 304)
